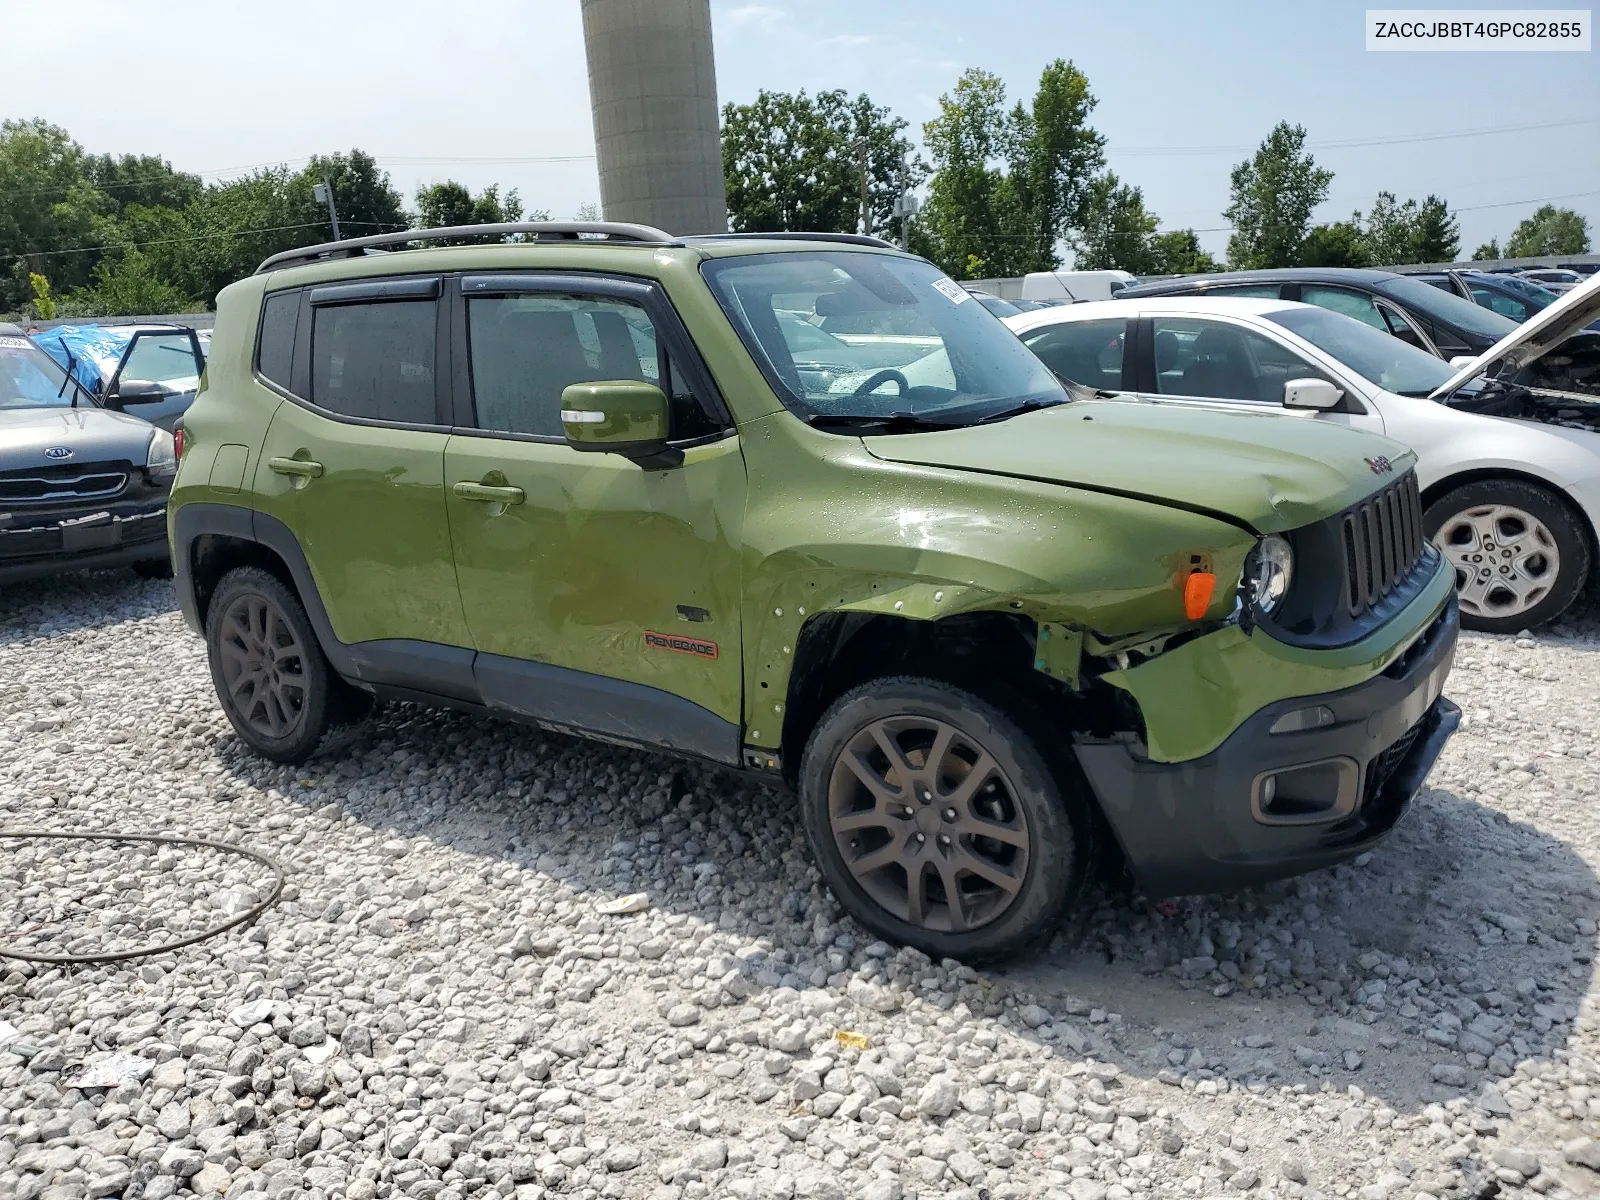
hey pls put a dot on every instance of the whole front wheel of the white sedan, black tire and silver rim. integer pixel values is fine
(1521, 553)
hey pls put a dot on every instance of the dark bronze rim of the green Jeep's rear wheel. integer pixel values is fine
(263, 666)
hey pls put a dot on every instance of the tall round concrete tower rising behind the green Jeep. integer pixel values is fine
(654, 90)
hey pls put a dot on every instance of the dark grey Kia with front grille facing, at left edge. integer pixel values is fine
(81, 487)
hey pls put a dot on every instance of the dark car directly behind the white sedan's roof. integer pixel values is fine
(1406, 306)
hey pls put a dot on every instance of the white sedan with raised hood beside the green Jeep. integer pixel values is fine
(1511, 498)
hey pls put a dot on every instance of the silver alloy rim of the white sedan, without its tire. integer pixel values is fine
(1506, 559)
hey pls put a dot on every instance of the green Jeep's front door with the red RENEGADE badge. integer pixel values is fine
(601, 594)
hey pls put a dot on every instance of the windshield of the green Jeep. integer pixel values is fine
(900, 340)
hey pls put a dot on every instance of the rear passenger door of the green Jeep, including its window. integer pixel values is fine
(354, 465)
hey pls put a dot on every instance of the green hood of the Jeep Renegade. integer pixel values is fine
(1270, 471)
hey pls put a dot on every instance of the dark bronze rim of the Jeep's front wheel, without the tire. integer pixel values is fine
(929, 825)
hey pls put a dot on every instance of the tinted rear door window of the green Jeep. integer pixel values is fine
(375, 361)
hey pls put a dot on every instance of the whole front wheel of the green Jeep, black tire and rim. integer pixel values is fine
(1044, 836)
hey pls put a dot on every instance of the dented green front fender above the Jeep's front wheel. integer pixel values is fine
(833, 529)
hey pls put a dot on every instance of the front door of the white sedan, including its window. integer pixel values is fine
(1225, 364)
